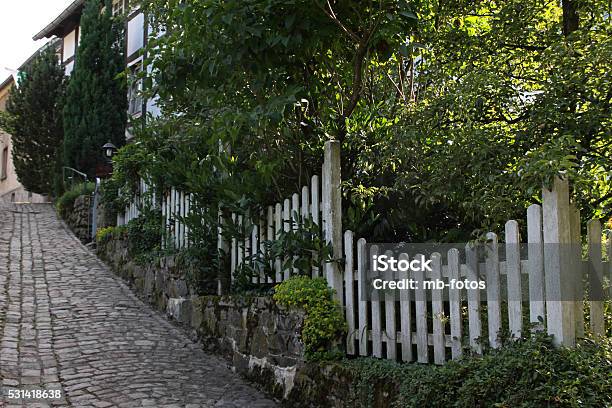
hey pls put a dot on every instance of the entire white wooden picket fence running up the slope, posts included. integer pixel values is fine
(431, 325)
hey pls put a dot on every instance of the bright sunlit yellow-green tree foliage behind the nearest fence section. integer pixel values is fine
(504, 102)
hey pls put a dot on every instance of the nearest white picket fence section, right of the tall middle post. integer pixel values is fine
(428, 325)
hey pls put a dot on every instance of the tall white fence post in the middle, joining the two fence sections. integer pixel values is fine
(332, 213)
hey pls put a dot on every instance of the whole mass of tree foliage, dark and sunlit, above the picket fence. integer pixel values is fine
(449, 122)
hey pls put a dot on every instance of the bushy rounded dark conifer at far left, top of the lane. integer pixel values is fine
(34, 119)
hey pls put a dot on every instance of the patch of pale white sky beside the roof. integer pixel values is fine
(20, 20)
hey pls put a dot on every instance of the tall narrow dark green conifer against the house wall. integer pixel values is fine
(96, 102)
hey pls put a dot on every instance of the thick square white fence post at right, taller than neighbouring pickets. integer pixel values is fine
(559, 306)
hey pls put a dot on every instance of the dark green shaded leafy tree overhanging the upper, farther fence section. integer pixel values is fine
(272, 80)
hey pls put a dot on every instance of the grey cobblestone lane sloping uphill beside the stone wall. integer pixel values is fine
(67, 324)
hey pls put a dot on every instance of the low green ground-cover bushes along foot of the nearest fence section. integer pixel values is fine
(525, 373)
